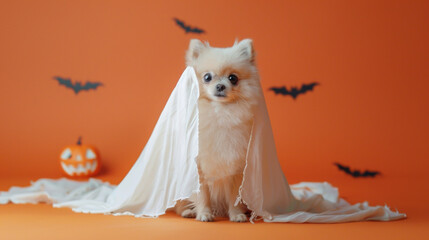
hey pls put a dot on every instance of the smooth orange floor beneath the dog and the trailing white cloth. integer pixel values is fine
(44, 222)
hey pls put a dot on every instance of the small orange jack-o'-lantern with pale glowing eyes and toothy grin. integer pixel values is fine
(80, 160)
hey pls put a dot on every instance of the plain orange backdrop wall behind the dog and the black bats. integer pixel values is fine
(369, 112)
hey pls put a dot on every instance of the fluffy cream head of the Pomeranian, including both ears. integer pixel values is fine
(225, 74)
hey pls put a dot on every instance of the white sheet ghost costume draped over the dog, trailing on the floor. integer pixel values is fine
(166, 171)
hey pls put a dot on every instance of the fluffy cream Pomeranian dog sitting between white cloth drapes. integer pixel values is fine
(229, 89)
